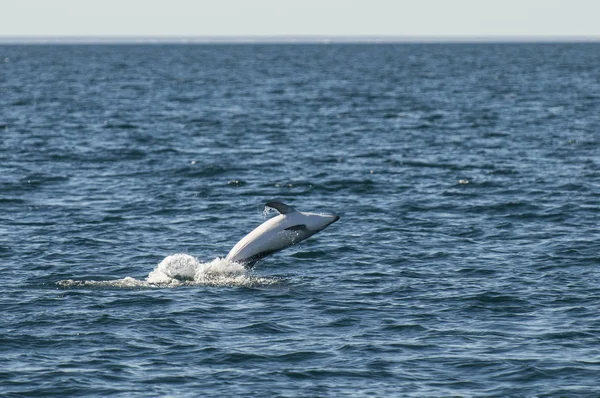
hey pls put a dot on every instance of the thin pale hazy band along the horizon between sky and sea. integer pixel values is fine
(291, 39)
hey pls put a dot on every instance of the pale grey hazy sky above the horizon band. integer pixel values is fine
(299, 17)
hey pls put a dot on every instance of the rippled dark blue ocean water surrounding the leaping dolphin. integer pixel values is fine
(465, 263)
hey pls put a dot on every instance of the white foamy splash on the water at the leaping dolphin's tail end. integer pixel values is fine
(182, 269)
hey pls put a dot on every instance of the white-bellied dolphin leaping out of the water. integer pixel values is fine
(288, 228)
